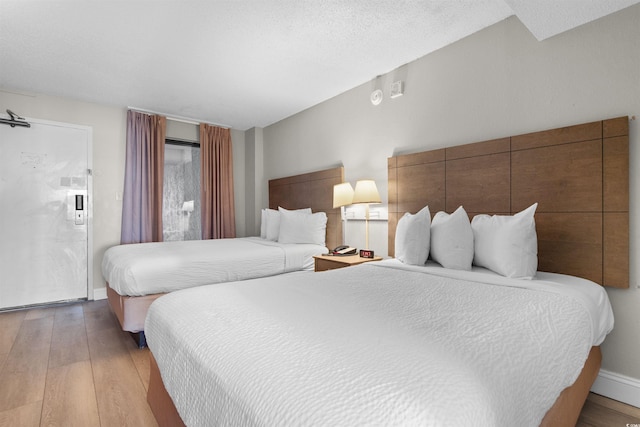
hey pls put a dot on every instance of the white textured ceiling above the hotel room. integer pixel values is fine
(242, 63)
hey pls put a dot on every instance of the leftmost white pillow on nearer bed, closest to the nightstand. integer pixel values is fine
(412, 237)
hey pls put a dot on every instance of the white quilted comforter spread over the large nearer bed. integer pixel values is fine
(374, 345)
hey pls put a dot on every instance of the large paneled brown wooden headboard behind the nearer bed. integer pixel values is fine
(579, 175)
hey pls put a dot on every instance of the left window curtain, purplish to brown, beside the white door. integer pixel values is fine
(144, 168)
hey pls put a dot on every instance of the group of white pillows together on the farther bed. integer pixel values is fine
(293, 226)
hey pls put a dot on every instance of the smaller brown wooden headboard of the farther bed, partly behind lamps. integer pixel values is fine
(311, 190)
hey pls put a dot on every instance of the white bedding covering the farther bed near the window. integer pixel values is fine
(151, 268)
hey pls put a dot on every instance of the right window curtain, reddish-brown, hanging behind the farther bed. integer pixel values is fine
(216, 174)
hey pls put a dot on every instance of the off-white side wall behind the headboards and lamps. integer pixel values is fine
(497, 82)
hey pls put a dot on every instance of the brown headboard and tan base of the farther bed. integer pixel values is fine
(310, 190)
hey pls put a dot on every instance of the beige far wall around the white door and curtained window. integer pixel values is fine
(109, 141)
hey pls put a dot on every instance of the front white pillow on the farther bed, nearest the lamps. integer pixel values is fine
(302, 227)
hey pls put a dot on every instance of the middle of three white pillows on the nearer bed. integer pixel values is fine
(452, 240)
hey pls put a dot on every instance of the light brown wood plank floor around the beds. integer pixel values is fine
(72, 365)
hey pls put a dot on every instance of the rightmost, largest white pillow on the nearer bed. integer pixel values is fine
(507, 245)
